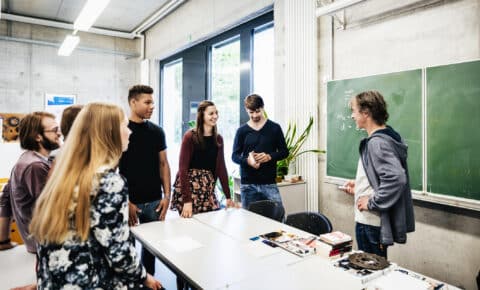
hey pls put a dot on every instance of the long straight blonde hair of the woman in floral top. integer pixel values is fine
(64, 204)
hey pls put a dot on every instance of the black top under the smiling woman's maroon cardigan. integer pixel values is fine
(205, 157)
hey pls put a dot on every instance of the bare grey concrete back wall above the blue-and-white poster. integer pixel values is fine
(100, 69)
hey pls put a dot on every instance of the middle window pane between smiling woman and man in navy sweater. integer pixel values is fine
(225, 91)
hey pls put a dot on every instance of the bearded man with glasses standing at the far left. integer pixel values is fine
(39, 135)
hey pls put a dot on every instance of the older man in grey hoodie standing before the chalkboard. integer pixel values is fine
(383, 199)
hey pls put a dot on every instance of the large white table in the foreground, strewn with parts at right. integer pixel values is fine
(213, 251)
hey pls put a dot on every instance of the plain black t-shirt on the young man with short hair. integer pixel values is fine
(140, 163)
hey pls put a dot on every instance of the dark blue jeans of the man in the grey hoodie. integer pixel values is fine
(368, 239)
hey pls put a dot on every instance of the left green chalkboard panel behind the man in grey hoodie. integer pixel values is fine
(403, 93)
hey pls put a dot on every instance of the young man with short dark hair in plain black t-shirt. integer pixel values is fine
(145, 166)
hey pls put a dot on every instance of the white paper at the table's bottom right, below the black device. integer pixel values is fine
(397, 280)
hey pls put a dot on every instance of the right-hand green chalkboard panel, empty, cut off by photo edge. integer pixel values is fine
(453, 135)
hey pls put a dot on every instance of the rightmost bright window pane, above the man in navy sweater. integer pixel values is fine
(263, 53)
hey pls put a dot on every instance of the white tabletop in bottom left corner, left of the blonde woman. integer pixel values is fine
(17, 268)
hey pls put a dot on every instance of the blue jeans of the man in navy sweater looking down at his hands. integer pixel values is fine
(256, 192)
